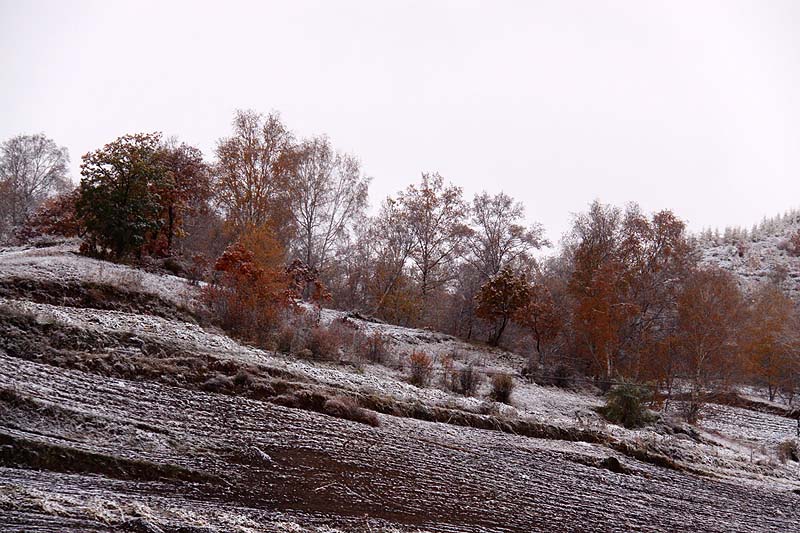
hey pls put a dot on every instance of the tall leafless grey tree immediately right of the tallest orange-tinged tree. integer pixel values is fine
(328, 192)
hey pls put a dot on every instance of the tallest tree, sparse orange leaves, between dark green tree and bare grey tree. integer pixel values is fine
(252, 172)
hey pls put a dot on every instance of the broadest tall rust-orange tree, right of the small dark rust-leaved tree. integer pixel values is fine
(627, 270)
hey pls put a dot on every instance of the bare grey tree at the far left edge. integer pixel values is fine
(32, 168)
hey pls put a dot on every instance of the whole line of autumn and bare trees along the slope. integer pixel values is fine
(274, 218)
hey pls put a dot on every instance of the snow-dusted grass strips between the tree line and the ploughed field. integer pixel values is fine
(739, 442)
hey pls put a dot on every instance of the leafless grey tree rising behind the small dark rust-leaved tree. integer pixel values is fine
(498, 236)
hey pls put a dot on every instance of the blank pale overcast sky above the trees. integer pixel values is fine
(692, 106)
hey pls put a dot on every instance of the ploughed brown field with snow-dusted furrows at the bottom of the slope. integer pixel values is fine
(407, 473)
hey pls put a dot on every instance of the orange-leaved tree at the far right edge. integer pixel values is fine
(769, 340)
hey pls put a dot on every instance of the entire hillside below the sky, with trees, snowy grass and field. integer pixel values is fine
(235, 345)
